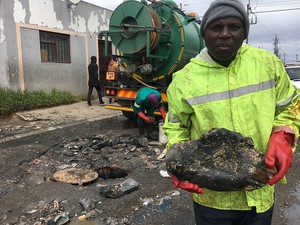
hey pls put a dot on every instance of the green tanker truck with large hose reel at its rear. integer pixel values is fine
(152, 40)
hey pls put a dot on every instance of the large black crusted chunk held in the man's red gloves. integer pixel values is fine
(220, 160)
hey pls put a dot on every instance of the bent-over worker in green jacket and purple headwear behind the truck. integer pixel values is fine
(147, 100)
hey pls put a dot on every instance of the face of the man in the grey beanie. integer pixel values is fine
(223, 38)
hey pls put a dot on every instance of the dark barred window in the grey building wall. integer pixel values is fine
(55, 47)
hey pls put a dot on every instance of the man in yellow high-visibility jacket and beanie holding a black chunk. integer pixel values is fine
(243, 89)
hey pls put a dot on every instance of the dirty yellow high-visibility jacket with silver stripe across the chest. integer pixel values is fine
(251, 96)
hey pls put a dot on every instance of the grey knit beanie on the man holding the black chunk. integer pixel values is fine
(220, 9)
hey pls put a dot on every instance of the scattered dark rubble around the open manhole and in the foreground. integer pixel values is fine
(102, 166)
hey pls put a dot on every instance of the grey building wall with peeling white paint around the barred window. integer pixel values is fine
(20, 57)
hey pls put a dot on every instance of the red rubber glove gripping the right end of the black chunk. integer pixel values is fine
(280, 154)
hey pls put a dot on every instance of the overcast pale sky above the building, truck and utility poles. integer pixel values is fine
(269, 18)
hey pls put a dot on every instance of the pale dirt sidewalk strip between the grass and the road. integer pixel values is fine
(31, 122)
